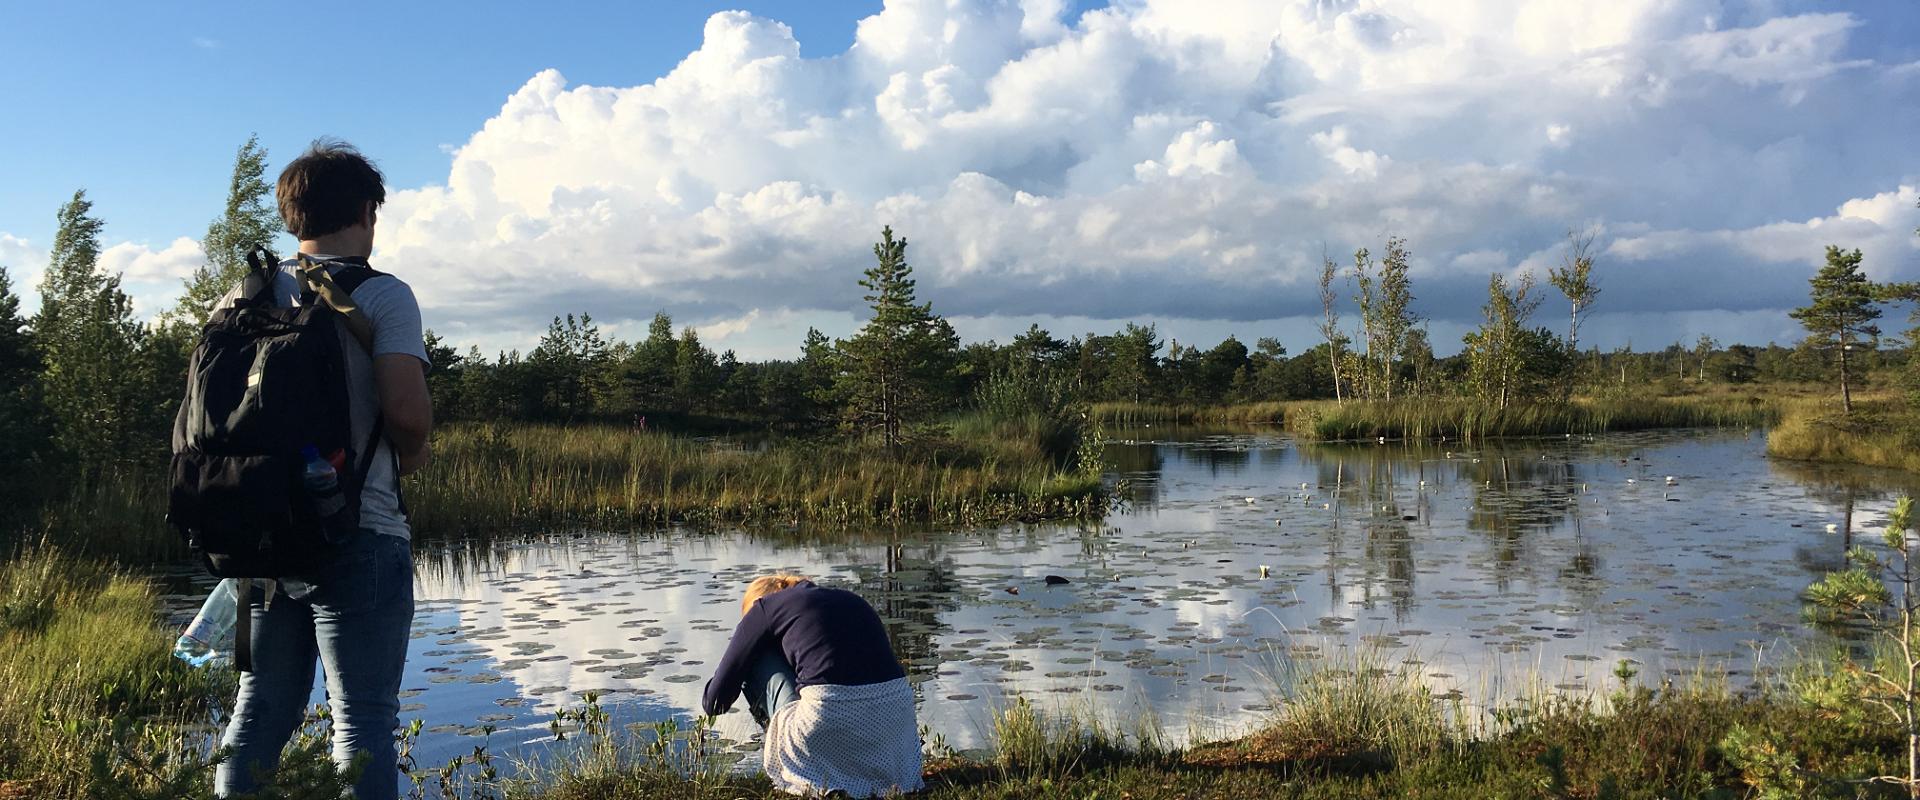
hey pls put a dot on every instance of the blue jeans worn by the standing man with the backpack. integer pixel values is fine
(354, 617)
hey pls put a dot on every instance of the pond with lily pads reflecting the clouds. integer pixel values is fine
(1493, 569)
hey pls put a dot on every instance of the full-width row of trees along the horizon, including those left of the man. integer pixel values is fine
(89, 387)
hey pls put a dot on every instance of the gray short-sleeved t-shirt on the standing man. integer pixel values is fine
(396, 331)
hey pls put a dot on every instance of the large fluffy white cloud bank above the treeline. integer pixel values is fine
(1184, 162)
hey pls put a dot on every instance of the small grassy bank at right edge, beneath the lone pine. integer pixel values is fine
(1881, 433)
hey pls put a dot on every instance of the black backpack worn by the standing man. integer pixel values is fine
(264, 385)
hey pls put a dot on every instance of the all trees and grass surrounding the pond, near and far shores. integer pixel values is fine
(903, 423)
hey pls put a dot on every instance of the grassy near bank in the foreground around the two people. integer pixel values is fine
(91, 705)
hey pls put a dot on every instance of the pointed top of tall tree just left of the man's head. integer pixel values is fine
(249, 222)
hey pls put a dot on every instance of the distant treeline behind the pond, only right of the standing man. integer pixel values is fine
(577, 373)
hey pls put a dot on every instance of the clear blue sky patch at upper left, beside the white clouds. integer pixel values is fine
(145, 103)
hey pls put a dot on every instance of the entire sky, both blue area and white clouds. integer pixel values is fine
(1078, 166)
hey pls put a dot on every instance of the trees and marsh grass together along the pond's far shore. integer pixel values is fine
(901, 421)
